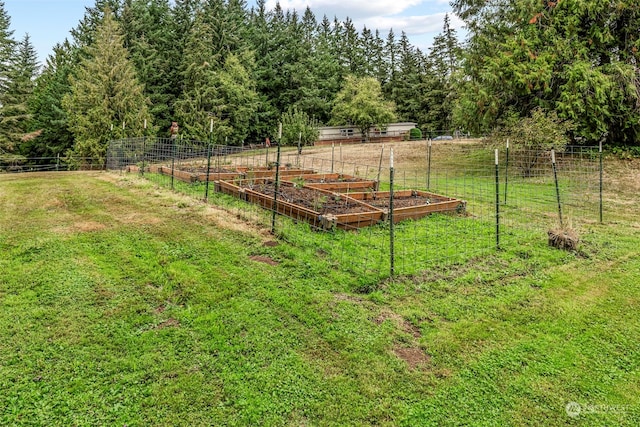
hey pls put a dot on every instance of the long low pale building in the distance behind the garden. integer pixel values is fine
(351, 134)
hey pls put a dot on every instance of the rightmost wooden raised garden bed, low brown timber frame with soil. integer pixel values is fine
(410, 204)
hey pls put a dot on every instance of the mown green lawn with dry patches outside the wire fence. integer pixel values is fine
(122, 303)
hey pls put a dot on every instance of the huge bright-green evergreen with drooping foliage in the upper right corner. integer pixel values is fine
(578, 58)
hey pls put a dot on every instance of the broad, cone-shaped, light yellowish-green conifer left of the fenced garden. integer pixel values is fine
(105, 94)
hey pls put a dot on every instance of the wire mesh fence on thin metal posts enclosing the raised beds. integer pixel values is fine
(440, 203)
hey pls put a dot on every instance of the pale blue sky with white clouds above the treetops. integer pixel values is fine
(49, 21)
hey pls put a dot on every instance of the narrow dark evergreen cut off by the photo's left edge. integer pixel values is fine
(14, 106)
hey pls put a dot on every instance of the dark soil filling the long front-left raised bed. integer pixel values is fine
(323, 203)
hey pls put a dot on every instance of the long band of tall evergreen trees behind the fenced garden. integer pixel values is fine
(132, 67)
